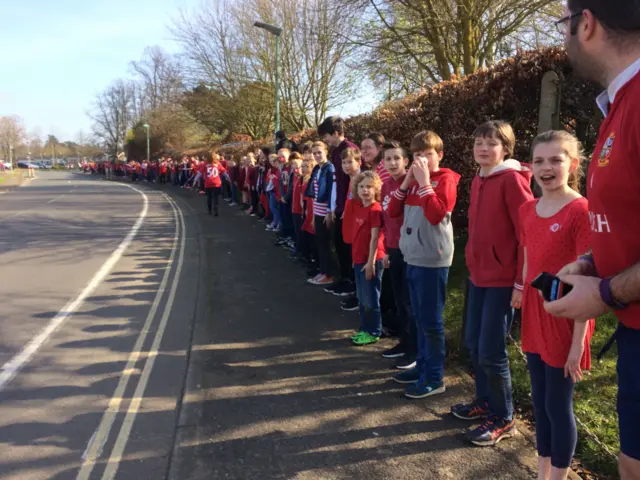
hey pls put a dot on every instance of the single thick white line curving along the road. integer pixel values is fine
(12, 367)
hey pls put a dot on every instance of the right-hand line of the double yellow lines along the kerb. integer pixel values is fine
(125, 431)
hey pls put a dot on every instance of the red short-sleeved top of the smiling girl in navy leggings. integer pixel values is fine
(550, 244)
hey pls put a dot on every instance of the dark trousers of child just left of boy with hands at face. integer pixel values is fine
(402, 300)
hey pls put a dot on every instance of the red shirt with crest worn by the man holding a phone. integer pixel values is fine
(613, 191)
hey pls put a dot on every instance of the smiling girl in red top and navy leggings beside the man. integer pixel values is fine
(555, 231)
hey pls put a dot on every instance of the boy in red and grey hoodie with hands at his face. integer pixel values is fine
(426, 197)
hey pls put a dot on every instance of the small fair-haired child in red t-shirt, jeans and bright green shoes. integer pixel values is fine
(367, 253)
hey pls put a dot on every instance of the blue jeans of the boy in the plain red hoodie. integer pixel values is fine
(489, 318)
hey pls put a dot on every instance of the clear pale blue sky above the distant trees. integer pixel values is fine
(57, 55)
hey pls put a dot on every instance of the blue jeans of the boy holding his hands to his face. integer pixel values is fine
(428, 293)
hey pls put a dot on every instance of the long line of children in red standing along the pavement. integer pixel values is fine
(354, 216)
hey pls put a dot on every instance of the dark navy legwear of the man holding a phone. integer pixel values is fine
(628, 341)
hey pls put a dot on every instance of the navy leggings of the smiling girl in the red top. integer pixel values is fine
(552, 395)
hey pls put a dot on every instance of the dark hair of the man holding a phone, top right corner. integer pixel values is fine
(621, 18)
